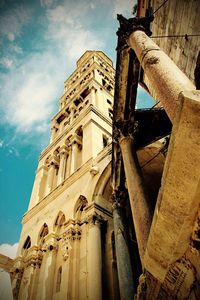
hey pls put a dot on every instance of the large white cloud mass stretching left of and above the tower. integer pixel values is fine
(31, 92)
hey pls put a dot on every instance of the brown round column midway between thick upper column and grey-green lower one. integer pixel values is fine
(140, 205)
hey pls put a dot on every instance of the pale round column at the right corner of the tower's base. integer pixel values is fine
(94, 259)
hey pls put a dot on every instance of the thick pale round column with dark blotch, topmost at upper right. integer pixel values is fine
(165, 78)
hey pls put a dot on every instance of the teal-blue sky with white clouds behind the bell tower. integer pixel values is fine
(40, 41)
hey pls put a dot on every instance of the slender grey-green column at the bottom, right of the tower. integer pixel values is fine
(125, 275)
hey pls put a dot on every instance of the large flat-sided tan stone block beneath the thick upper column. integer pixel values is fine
(178, 201)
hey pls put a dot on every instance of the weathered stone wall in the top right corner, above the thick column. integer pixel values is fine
(178, 18)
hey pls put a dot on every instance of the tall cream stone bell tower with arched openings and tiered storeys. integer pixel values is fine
(66, 249)
